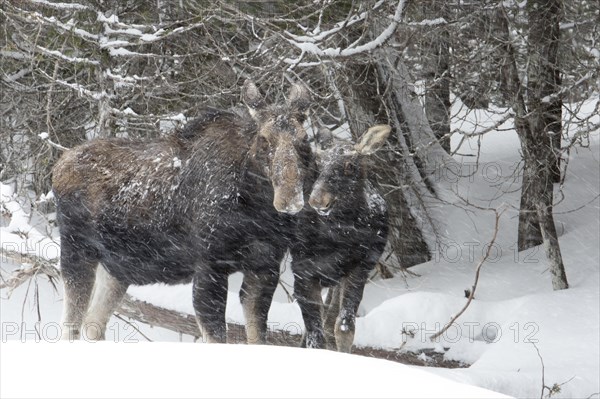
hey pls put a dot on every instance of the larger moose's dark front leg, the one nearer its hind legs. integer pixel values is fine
(209, 291)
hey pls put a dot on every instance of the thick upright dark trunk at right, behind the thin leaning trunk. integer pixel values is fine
(537, 141)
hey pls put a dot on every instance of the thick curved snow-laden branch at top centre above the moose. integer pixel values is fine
(311, 46)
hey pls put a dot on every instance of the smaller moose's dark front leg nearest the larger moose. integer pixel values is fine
(308, 295)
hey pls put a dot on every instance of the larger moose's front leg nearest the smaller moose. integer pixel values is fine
(256, 296)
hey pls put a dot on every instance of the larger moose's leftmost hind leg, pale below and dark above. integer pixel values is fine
(78, 272)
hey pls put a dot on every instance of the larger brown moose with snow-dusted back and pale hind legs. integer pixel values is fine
(196, 205)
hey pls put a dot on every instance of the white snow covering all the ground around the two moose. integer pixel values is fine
(514, 315)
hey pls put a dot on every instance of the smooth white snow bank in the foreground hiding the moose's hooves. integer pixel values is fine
(163, 370)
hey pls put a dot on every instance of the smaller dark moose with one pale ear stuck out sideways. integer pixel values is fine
(339, 247)
